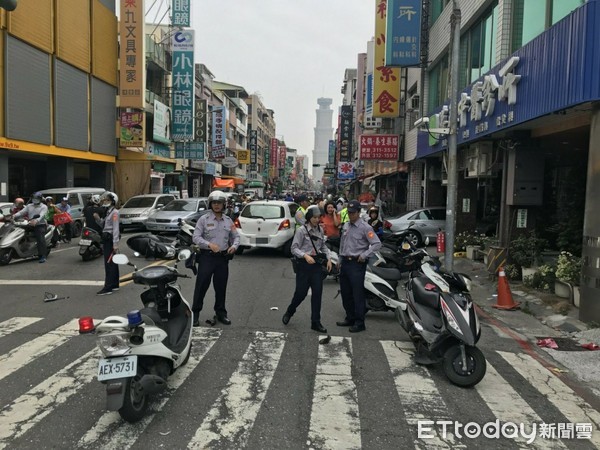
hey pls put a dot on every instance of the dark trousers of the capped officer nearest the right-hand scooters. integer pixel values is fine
(352, 281)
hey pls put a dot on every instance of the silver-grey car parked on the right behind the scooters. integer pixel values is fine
(426, 223)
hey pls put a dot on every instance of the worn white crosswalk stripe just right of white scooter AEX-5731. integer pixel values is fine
(112, 432)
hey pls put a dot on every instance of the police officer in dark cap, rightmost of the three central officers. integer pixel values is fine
(358, 243)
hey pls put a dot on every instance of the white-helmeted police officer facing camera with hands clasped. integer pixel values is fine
(218, 239)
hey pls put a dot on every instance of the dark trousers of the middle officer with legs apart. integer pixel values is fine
(308, 276)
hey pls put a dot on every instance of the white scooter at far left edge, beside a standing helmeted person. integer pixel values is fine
(18, 241)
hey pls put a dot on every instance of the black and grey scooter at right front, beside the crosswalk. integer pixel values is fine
(440, 318)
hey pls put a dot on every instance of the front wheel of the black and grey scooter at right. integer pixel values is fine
(476, 366)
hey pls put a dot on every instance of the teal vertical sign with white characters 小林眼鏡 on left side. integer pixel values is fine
(182, 128)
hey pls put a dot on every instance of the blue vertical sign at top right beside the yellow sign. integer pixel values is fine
(403, 36)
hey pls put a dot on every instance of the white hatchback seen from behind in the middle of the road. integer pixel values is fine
(268, 224)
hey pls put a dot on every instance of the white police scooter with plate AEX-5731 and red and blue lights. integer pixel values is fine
(143, 349)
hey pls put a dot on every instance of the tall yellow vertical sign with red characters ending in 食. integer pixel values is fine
(386, 80)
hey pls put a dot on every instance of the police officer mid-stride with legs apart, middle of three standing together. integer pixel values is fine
(312, 255)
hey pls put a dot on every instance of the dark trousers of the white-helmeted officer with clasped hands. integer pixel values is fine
(215, 267)
